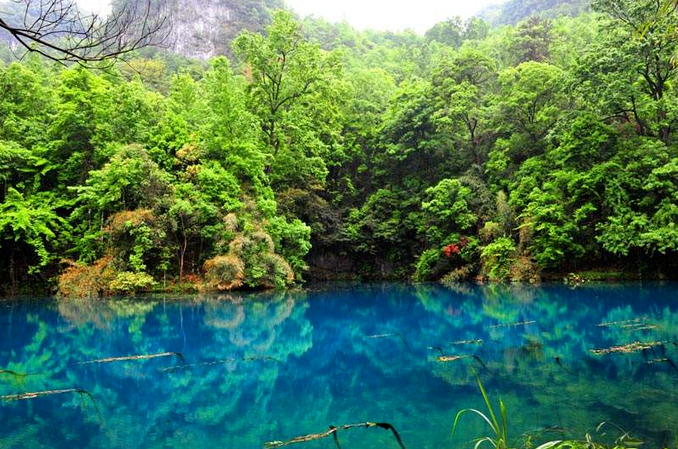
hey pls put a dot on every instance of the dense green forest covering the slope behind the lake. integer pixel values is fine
(313, 151)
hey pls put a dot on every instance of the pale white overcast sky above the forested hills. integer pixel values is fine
(419, 15)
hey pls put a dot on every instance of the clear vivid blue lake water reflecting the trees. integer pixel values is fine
(262, 367)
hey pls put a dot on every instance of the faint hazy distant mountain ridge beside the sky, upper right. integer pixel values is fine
(513, 11)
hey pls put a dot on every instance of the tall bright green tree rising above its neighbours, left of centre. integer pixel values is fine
(293, 88)
